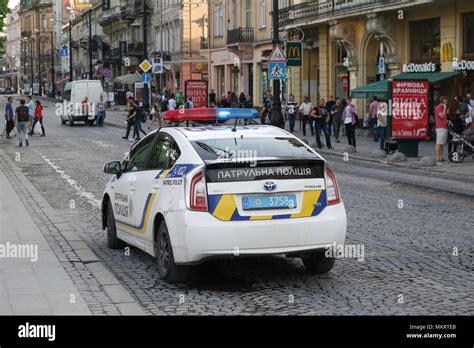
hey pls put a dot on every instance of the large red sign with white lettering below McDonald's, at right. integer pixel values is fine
(410, 109)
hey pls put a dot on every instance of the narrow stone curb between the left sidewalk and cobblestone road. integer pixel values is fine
(82, 251)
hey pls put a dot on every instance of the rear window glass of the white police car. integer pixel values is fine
(243, 149)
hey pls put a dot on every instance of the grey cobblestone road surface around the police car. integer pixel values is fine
(418, 243)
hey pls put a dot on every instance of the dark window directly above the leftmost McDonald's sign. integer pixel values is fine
(425, 40)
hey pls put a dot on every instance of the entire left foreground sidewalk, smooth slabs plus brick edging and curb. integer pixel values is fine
(58, 274)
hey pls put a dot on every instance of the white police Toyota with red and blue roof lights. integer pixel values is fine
(185, 194)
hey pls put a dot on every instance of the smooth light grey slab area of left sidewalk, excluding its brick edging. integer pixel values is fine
(29, 286)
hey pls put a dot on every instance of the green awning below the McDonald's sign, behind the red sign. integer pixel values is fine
(380, 89)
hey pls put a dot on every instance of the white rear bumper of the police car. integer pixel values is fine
(208, 237)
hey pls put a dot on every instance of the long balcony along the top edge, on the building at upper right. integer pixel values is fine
(328, 9)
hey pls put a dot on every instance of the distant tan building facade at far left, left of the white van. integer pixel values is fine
(36, 46)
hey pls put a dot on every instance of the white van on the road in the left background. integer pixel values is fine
(74, 106)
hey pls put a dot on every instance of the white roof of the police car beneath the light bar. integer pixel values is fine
(225, 131)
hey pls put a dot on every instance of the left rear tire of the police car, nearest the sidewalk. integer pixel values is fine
(168, 269)
